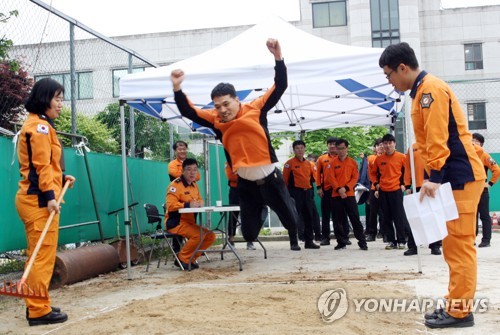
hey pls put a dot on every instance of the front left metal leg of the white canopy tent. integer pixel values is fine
(126, 219)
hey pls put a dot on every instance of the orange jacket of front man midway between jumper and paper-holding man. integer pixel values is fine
(345, 174)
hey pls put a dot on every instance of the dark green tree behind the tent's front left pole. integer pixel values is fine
(151, 134)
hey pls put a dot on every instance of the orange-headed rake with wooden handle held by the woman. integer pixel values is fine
(22, 289)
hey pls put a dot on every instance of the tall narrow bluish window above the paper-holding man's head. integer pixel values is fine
(385, 22)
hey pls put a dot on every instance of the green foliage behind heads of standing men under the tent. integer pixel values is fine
(360, 139)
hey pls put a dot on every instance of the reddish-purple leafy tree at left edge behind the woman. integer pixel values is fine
(15, 84)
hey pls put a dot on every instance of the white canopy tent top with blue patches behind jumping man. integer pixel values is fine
(329, 84)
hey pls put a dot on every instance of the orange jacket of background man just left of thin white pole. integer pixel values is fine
(389, 172)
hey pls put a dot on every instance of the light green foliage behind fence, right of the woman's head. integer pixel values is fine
(95, 131)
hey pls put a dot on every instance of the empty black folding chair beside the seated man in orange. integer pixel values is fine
(160, 236)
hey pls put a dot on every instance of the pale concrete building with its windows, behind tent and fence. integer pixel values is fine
(460, 45)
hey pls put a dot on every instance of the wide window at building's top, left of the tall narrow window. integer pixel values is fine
(329, 14)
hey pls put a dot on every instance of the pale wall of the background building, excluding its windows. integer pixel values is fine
(437, 35)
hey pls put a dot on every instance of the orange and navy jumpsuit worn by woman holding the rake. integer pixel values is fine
(39, 153)
